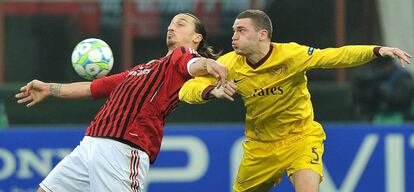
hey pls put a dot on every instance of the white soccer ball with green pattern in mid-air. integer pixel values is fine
(92, 58)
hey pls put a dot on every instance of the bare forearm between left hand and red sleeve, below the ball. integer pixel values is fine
(77, 90)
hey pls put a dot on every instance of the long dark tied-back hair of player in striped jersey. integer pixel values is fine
(203, 48)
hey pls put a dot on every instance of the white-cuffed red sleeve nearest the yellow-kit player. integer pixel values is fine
(181, 58)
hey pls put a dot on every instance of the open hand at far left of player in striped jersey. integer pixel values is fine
(34, 92)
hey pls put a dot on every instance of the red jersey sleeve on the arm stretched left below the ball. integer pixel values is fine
(102, 87)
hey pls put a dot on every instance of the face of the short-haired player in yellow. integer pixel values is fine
(245, 38)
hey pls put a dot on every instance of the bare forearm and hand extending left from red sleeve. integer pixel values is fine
(36, 91)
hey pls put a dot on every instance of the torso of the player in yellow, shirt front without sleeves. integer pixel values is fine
(274, 94)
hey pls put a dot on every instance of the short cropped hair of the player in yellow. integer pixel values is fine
(260, 20)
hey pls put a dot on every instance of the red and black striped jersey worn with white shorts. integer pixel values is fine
(139, 100)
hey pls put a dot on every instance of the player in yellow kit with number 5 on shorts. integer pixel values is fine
(281, 134)
